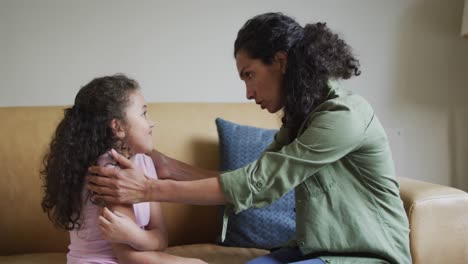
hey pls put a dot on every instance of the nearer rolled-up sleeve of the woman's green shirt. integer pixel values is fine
(328, 137)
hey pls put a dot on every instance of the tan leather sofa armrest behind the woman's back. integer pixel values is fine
(438, 218)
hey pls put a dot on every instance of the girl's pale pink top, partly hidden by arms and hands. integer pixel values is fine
(87, 244)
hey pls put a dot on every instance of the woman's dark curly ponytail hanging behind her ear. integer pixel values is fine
(320, 55)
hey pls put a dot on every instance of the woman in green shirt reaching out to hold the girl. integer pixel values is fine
(331, 149)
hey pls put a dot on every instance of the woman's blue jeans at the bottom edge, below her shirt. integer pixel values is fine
(285, 255)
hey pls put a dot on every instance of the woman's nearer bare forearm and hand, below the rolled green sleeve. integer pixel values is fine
(130, 185)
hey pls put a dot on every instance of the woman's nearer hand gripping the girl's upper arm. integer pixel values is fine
(126, 185)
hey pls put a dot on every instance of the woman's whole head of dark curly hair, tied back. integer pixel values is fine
(315, 55)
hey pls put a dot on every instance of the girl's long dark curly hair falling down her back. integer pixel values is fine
(82, 135)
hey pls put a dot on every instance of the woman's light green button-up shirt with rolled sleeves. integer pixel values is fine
(348, 208)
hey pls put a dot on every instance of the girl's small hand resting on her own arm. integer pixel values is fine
(117, 227)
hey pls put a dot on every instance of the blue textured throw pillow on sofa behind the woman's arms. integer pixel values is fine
(265, 227)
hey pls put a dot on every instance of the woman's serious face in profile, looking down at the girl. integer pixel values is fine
(263, 82)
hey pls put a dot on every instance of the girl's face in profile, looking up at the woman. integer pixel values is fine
(138, 127)
